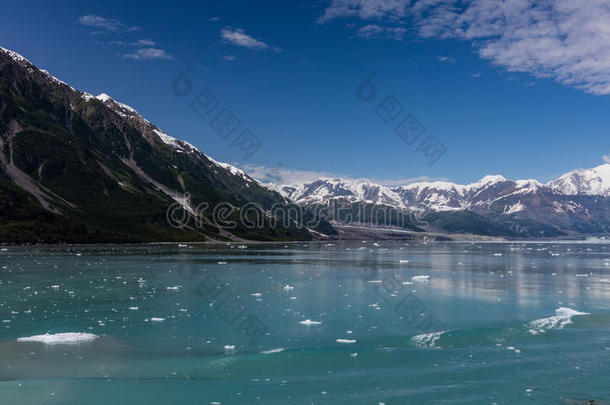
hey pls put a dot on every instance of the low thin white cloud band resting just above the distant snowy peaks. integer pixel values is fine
(282, 175)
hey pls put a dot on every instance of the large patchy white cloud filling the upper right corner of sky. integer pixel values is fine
(564, 40)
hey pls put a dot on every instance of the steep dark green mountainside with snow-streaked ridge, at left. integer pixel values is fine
(79, 168)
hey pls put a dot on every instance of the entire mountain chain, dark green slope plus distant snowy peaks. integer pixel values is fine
(81, 168)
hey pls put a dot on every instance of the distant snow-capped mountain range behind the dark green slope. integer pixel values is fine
(576, 203)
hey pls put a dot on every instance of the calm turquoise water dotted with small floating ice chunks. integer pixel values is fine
(222, 324)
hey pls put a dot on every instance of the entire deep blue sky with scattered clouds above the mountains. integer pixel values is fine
(390, 90)
